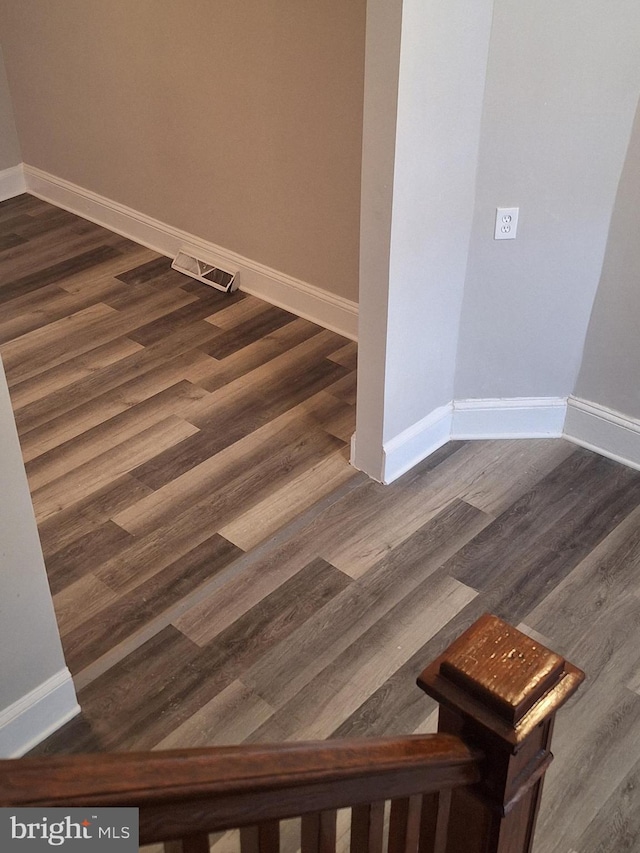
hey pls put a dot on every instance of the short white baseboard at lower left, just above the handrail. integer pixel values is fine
(41, 712)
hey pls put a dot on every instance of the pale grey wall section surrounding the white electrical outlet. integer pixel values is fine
(562, 87)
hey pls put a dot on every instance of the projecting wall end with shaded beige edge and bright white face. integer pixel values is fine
(413, 261)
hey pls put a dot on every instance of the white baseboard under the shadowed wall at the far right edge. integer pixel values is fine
(604, 430)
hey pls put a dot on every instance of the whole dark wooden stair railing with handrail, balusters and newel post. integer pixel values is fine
(474, 787)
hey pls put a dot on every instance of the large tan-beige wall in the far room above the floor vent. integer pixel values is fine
(239, 121)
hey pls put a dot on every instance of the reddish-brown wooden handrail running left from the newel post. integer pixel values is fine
(229, 787)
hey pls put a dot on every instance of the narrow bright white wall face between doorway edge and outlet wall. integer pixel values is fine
(442, 76)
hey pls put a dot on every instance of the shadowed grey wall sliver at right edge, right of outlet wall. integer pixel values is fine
(610, 370)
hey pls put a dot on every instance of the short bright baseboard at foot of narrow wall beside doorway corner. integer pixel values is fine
(417, 442)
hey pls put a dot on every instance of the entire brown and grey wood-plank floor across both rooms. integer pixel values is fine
(220, 573)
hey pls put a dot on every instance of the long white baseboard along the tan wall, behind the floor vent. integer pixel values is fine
(328, 310)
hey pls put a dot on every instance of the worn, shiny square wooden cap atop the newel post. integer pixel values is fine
(503, 679)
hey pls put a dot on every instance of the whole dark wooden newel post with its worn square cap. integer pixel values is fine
(499, 690)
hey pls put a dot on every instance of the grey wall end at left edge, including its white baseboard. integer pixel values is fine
(36, 692)
